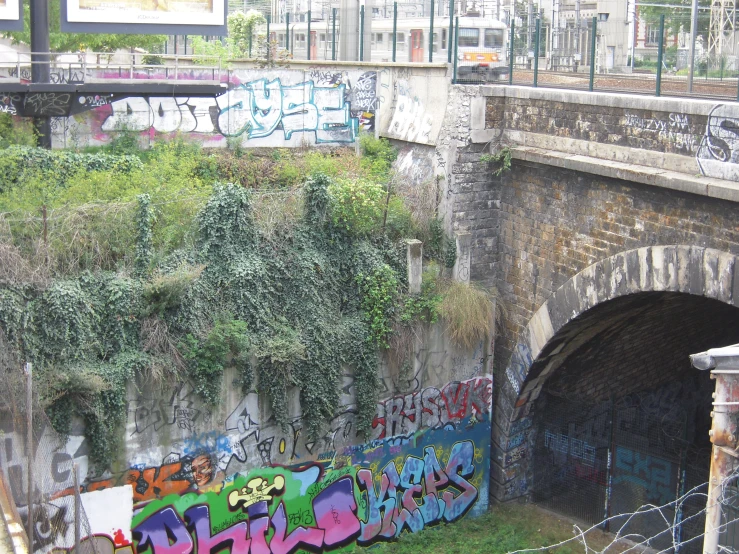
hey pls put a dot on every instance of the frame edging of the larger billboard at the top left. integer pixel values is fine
(167, 28)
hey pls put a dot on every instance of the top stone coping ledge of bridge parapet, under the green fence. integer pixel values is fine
(690, 106)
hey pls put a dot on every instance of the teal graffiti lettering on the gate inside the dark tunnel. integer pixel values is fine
(655, 475)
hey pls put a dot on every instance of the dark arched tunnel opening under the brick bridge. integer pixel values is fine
(623, 419)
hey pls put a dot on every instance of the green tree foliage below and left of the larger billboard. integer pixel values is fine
(74, 42)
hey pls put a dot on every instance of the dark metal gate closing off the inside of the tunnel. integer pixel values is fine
(595, 462)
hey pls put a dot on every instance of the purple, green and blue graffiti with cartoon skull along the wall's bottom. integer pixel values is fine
(281, 510)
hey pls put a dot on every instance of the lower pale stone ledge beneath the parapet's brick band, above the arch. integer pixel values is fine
(703, 186)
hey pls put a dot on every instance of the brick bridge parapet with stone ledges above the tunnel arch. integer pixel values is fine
(684, 144)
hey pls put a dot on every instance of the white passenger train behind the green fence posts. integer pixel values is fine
(481, 43)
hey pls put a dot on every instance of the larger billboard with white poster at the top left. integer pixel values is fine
(193, 17)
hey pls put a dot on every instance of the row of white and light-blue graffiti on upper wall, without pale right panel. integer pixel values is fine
(287, 108)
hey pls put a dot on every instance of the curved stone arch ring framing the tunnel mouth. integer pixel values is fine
(686, 269)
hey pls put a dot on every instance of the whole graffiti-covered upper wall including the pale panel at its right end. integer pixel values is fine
(289, 106)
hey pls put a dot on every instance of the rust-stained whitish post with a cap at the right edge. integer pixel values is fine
(724, 366)
